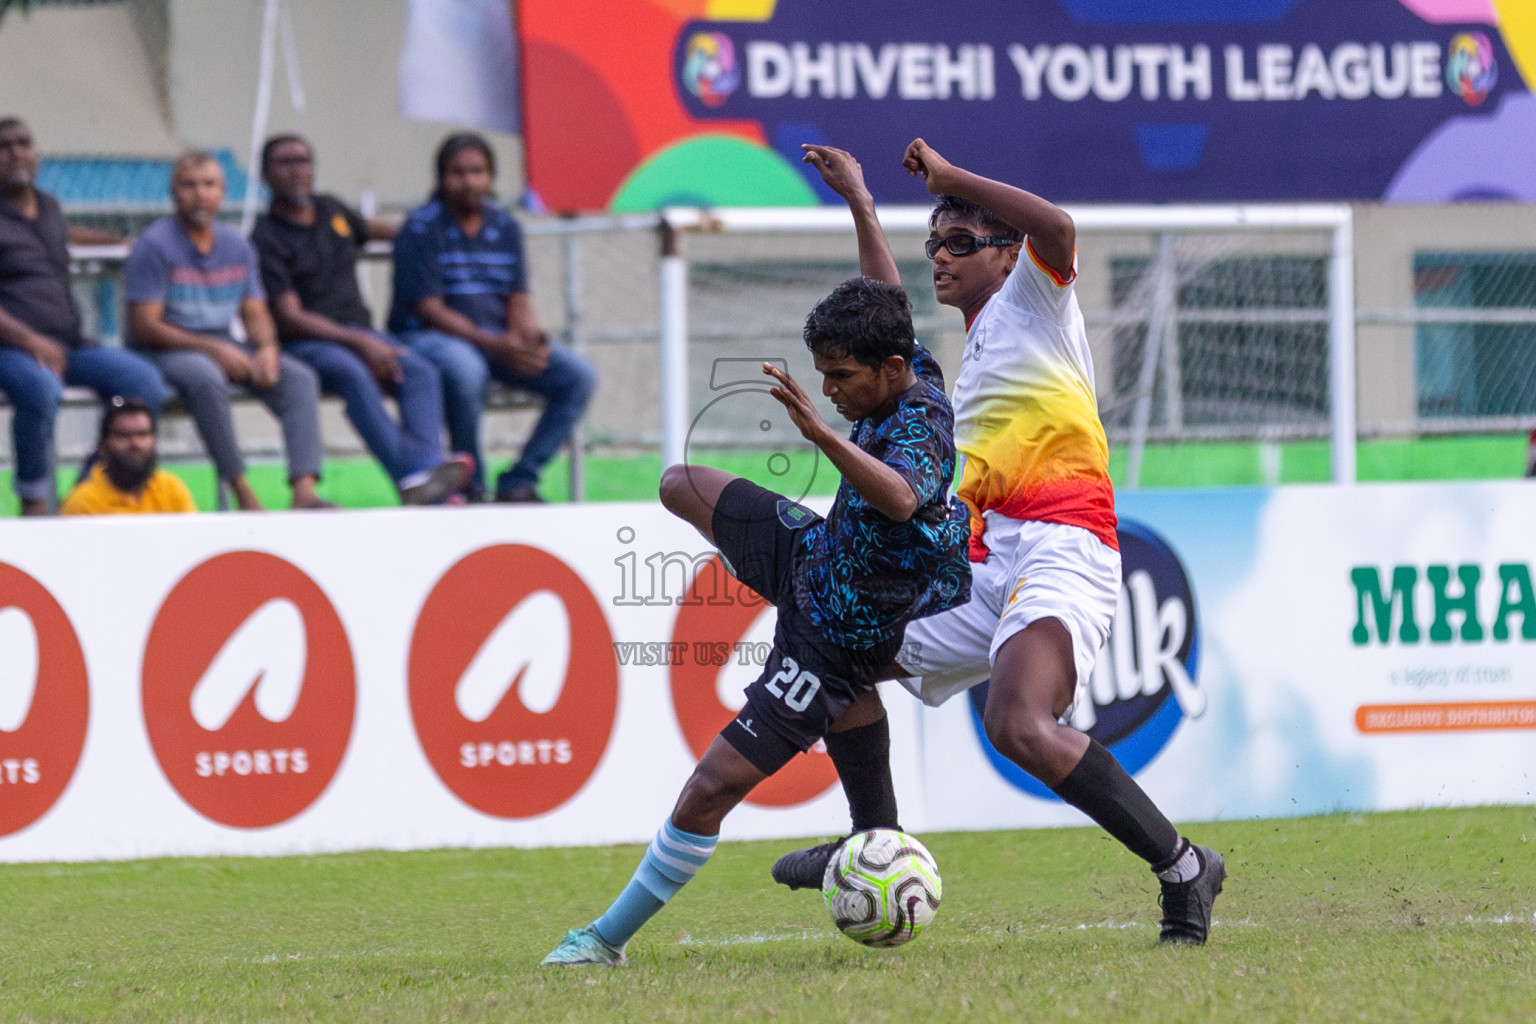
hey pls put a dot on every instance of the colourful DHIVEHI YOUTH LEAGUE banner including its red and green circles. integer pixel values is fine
(643, 104)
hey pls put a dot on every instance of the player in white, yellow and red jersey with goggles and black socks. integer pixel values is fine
(1044, 547)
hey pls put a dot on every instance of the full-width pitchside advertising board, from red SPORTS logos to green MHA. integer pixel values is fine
(406, 679)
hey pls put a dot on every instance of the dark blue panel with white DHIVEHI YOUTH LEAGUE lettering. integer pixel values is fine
(1305, 101)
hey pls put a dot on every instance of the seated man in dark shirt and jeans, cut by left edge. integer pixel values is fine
(42, 348)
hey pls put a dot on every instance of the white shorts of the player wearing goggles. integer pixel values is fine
(1033, 570)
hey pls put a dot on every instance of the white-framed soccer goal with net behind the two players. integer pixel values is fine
(1207, 323)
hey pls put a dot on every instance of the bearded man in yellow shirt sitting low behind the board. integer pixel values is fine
(125, 477)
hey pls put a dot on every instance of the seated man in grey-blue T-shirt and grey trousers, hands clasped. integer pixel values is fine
(185, 282)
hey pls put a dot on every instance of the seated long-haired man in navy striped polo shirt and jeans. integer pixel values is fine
(462, 300)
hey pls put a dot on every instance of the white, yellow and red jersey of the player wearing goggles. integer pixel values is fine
(1027, 418)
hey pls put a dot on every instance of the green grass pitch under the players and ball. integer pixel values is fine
(1425, 916)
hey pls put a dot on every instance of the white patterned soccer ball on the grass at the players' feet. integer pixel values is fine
(882, 888)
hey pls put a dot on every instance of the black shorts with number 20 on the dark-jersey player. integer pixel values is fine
(807, 682)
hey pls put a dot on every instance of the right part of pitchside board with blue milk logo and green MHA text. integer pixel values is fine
(1360, 649)
